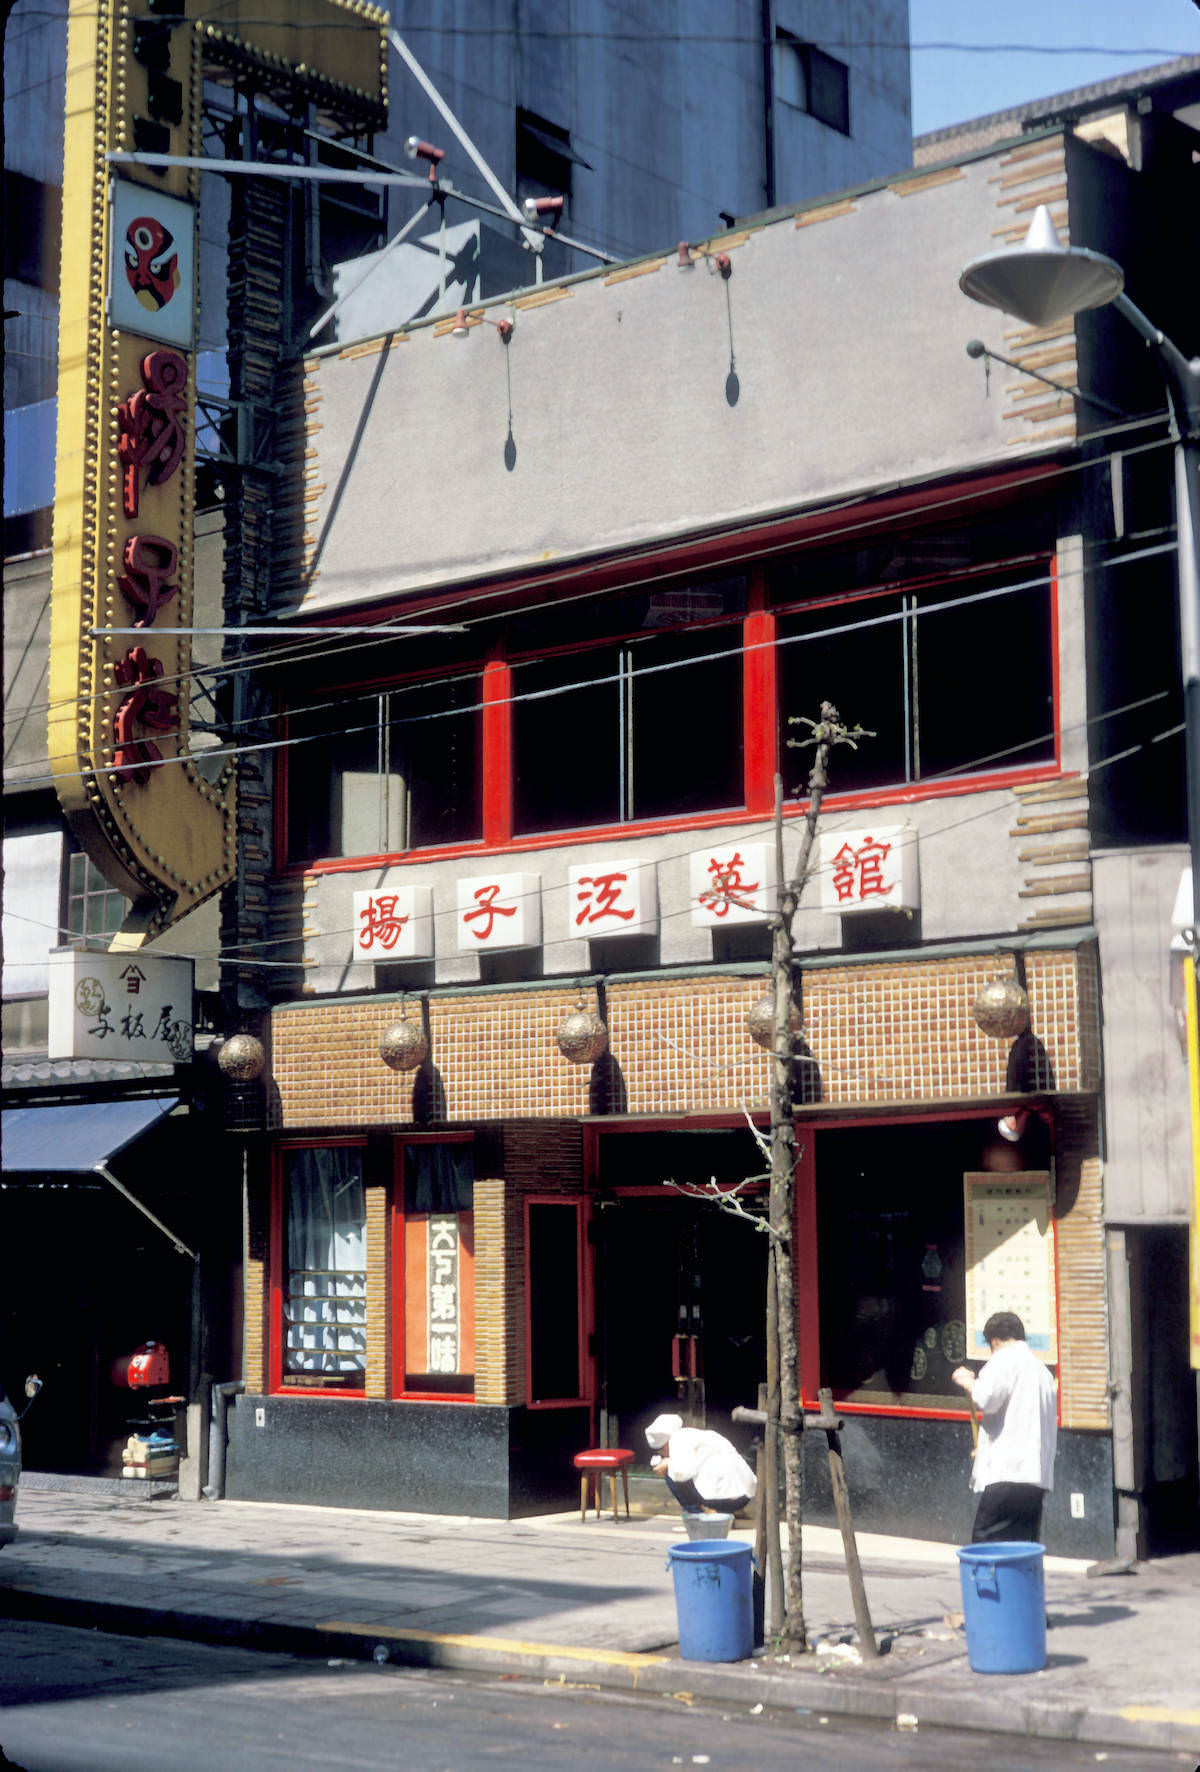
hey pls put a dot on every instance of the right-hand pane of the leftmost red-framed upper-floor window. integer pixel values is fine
(435, 759)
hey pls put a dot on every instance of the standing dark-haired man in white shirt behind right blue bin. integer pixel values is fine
(1015, 1461)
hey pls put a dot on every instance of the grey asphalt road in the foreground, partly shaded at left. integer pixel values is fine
(84, 1702)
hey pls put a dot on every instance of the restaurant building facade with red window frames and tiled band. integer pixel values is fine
(662, 511)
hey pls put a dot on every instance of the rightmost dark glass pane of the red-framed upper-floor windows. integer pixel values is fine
(985, 681)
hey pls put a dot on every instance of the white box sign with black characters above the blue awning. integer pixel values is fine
(120, 1006)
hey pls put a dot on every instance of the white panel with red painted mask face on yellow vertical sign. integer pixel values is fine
(152, 277)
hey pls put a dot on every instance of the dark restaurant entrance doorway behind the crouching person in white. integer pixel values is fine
(682, 1286)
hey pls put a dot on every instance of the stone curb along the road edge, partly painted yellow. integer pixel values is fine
(662, 1675)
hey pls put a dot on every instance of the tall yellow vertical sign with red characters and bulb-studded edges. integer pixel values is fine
(129, 775)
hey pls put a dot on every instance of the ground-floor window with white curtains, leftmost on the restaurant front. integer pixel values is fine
(325, 1280)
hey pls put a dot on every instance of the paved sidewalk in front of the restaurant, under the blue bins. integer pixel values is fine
(593, 1605)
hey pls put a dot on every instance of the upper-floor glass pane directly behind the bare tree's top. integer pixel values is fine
(850, 655)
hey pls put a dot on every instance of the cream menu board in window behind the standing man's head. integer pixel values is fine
(1011, 1259)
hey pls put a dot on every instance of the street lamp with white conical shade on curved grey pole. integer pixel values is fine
(1043, 281)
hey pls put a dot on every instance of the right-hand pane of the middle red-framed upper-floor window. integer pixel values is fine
(687, 724)
